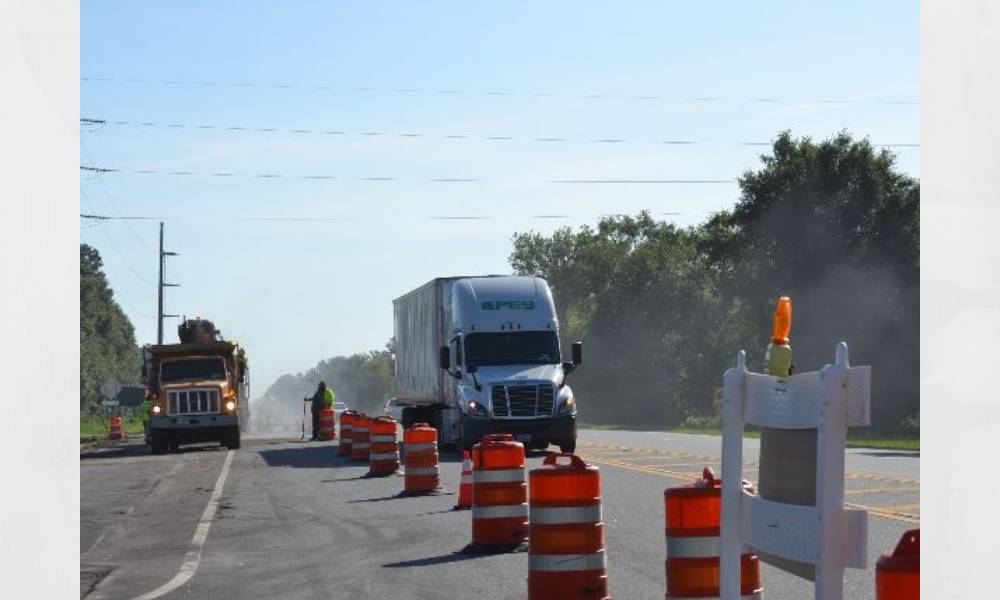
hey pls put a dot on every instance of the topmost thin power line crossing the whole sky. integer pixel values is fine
(438, 91)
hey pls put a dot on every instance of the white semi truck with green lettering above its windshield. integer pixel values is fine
(479, 355)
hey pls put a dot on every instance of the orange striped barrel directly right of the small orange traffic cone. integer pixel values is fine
(499, 492)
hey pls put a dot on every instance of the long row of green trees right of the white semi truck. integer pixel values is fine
(662, 309)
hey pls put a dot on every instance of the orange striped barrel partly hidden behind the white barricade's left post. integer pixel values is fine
(693, 514)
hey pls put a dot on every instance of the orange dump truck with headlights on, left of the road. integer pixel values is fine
(197, 390)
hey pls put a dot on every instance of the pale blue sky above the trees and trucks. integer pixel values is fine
(413, 92)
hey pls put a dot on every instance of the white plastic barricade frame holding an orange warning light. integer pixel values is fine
(826, 535)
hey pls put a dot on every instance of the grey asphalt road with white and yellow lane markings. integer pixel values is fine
(286, 519)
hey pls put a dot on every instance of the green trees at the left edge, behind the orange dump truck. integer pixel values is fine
(108, 350)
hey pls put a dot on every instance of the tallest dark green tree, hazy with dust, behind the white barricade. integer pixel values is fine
(834, 226)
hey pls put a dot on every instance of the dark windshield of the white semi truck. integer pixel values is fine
(514, 348)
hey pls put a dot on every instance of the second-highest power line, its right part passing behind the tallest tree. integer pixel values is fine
(549, 139)
